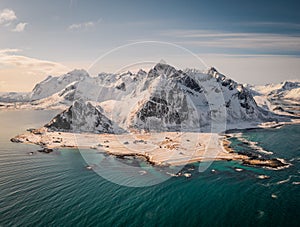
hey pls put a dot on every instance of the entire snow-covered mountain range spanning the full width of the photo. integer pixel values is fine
(163, 99)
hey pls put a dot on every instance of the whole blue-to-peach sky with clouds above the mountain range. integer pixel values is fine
(254, 42)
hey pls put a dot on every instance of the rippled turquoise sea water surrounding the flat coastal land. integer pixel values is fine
(57, 190)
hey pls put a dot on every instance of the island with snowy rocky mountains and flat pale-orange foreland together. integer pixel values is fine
(165, 116)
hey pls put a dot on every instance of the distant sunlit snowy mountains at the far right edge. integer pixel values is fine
(281, 98)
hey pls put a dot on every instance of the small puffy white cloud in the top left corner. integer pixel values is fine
(8, 18)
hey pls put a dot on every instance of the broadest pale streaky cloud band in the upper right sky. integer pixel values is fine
(220, 39)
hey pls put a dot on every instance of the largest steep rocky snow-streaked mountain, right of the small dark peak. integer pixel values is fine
(192, 100)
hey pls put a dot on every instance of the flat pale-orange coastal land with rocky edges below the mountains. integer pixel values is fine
(160, 149)
